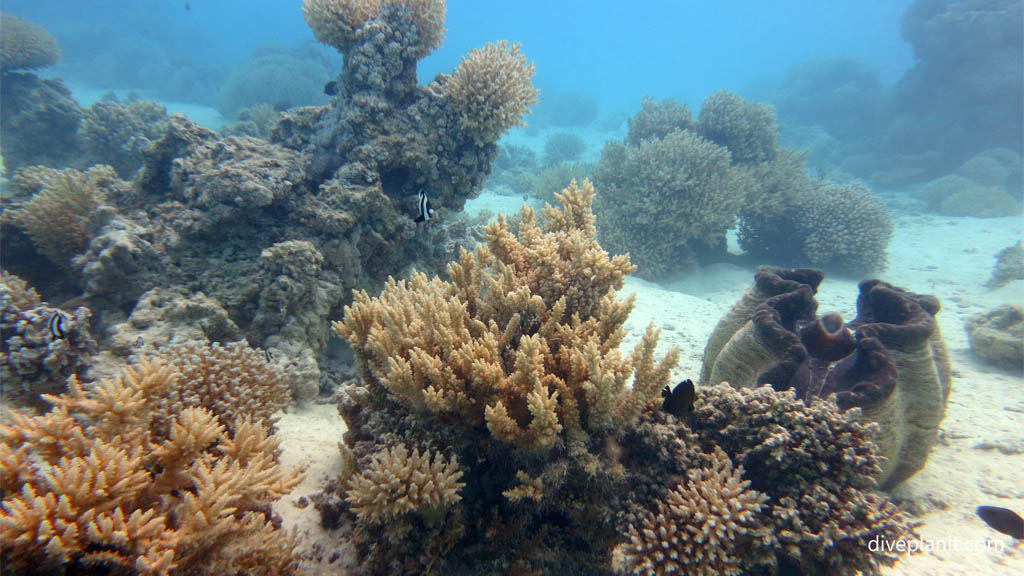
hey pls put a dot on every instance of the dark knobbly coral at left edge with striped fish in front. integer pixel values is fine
(35, 360)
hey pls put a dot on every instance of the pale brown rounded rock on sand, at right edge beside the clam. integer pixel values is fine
(998, 338)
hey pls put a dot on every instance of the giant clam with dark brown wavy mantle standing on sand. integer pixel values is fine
(890, 361)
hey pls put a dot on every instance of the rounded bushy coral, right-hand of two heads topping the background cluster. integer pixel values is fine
(748, 130)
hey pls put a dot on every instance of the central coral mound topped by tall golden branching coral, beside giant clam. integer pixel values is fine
(513, 366)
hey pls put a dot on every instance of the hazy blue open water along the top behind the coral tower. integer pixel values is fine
(615, 52)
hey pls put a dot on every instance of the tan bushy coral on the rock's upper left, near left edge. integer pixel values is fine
(60, 217)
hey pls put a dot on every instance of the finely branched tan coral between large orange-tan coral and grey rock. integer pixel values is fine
(229, 380)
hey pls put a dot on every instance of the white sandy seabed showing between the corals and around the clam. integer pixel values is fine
(950, 258)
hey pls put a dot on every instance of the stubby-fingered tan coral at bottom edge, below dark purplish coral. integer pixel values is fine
(699, 528)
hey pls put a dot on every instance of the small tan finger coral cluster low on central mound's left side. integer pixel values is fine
(398, 482)
